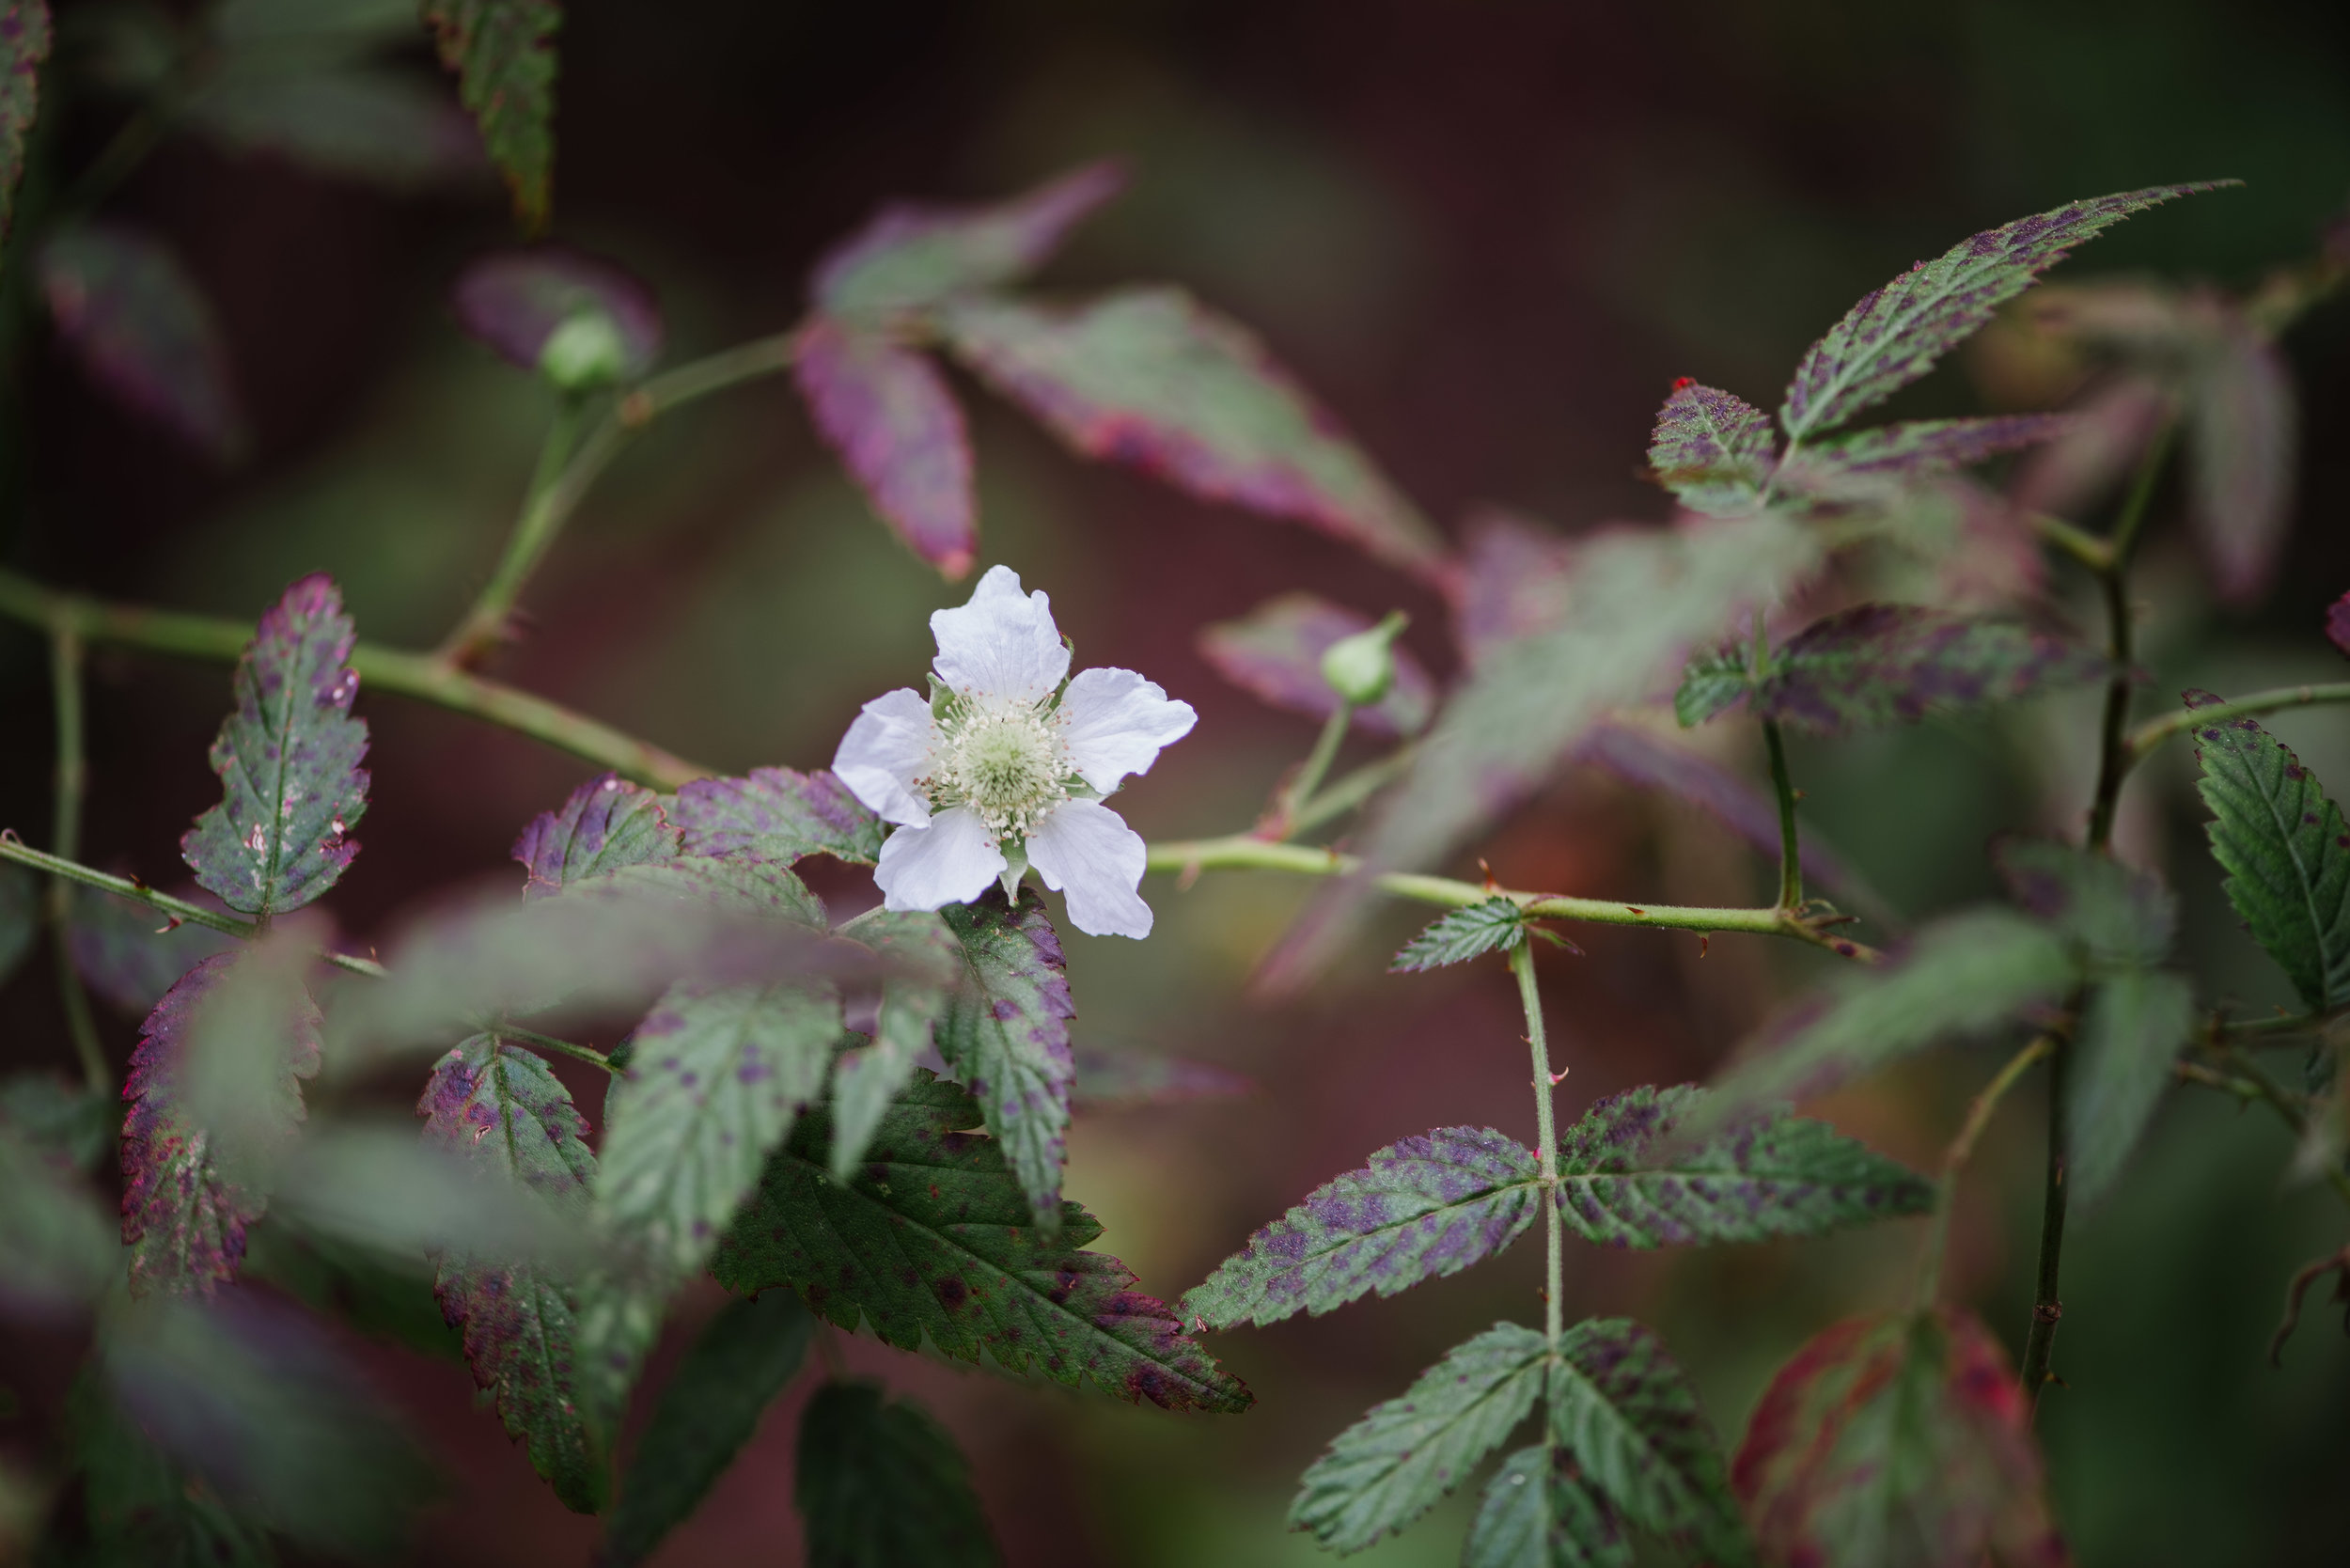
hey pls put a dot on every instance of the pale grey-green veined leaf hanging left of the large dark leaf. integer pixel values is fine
(716, 1083)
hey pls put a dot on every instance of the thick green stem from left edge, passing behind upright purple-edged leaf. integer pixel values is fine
(417, 676)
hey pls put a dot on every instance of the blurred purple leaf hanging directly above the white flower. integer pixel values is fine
(892, 417)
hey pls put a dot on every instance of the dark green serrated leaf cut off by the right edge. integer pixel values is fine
(2285, 852)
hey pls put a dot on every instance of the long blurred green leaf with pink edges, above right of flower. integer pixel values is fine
(1155, 380)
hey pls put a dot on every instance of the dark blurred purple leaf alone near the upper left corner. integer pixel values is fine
(145, 333)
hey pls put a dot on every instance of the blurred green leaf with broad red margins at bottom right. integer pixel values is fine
(1898, 1442)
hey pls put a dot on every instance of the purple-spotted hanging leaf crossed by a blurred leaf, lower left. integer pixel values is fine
(499, 1108)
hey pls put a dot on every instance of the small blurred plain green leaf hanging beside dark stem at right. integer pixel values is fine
(2130, 1038)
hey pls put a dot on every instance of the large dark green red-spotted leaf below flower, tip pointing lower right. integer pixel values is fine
(934, 1238)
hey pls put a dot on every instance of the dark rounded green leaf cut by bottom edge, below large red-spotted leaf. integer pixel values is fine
(882, 1487)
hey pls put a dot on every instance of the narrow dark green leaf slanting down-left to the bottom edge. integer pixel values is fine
(709, 1412)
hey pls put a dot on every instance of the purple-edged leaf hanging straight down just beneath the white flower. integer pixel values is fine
(1007, 1033)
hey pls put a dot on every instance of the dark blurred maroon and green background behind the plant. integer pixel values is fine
(1491, 236)
